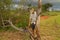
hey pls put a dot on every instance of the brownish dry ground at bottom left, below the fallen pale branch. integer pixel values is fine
(13, 36)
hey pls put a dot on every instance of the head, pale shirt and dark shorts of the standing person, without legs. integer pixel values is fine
(33, 18)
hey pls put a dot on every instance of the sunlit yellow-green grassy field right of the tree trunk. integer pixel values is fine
(50, 27)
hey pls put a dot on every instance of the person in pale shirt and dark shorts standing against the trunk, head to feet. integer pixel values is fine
(32, 22)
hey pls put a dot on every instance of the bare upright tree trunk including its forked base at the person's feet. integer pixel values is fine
(36, 30)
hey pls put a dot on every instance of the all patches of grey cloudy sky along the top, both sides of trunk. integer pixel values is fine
(56, 3)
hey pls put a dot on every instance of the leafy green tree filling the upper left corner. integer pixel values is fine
(4, 8)
